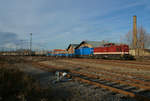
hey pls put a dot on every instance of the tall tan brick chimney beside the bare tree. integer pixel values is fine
(134, 32)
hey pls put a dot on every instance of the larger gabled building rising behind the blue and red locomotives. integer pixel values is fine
(91, 44)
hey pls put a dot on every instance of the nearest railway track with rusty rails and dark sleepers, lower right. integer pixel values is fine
(114, 87)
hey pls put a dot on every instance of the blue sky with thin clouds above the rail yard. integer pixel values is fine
(57, 23)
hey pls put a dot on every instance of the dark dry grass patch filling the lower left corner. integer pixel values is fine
(16, 85)
